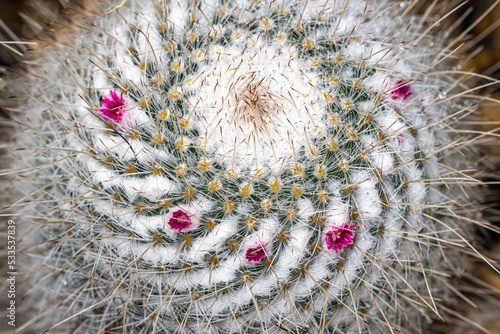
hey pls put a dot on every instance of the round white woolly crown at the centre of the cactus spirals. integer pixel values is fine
(257, 103)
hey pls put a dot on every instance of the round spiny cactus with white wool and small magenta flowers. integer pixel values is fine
(246, 167)
